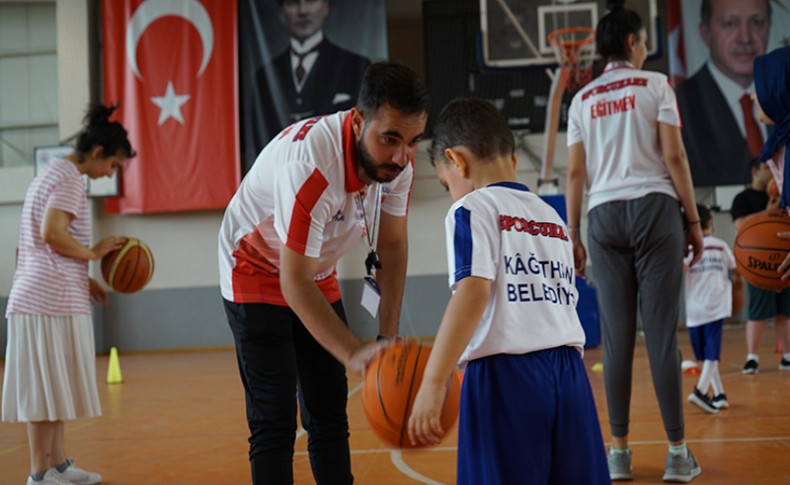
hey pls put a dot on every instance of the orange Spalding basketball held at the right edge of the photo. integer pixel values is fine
(759, 252)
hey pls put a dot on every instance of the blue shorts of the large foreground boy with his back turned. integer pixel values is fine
(529, 419)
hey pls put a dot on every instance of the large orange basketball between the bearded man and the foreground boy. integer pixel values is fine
(391, 383)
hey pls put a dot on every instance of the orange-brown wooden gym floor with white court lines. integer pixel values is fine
(178, 418)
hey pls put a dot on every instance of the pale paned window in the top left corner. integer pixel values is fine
(28, 80)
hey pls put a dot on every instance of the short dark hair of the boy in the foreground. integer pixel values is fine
(475, 124)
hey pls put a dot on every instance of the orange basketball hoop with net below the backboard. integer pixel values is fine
(575, 51)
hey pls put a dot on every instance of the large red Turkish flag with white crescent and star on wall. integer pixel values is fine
(171, 66)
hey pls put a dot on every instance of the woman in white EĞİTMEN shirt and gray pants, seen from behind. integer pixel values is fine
(625, 147)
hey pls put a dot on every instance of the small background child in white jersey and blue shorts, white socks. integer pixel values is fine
(708, 302)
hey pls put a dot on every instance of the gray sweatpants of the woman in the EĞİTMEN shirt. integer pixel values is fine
(636, 250)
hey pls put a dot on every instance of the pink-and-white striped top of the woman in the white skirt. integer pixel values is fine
(45, 281)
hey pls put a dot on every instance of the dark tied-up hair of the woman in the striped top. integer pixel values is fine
(98, 130)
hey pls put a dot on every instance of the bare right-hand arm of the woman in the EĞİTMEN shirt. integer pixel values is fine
(676, 161)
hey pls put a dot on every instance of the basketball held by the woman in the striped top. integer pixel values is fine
(130, 268)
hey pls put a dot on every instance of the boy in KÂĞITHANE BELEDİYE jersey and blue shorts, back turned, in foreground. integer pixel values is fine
(527, 410)
